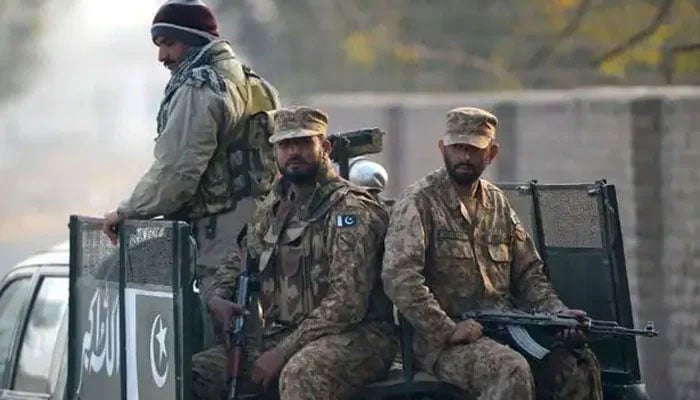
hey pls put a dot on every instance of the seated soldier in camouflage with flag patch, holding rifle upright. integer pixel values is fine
(326, 323)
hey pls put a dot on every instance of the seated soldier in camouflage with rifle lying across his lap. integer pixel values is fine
(455, 244)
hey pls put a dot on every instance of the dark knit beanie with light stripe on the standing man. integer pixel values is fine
(187, 21)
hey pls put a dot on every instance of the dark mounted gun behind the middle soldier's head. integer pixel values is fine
(347, 145)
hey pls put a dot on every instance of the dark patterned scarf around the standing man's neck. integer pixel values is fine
(196, 66)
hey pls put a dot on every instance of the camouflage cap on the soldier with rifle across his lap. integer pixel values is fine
(470, 125)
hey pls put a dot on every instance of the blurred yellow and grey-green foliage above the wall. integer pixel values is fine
(458, 45)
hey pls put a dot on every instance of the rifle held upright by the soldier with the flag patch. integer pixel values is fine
(246, 285)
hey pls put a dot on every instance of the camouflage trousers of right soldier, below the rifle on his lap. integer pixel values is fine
(488, 370)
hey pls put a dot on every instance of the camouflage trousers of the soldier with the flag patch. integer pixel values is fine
(331, 367)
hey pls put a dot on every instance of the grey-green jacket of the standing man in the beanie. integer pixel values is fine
(189, 177)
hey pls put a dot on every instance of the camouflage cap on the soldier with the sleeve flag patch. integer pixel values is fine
(297, 122)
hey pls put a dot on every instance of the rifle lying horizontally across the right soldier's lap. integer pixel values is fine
(515, 324)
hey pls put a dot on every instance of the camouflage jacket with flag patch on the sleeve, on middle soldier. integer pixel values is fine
(319, 266)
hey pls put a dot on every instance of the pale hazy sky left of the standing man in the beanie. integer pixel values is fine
(82, 133)
